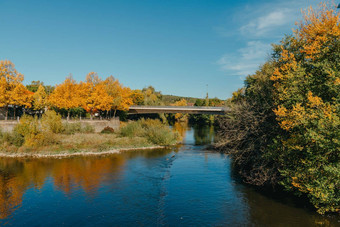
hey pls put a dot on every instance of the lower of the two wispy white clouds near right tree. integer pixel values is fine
(247, 60)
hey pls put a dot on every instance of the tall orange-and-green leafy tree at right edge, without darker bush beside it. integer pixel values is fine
(307, 91)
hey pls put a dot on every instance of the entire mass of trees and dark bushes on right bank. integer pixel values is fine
(284, 127)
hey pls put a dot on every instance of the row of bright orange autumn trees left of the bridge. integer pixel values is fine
(91, 95)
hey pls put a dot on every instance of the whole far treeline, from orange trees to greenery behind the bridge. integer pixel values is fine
(71, 98)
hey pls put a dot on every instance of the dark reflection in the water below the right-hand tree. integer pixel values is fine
(280, 209)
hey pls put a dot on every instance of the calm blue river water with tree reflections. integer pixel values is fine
(183, 186)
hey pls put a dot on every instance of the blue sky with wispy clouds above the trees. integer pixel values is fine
(177, 46)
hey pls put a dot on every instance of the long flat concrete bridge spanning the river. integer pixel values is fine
(178, 109)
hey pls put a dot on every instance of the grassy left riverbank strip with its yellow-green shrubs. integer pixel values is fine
(49, 135)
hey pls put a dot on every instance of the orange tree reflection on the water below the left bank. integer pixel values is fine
(18, 175)
